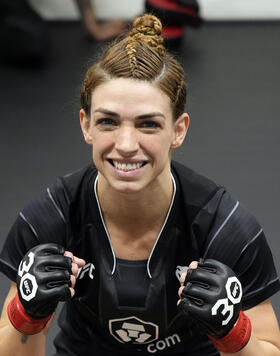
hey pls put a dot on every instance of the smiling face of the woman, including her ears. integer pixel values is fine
(132, 132)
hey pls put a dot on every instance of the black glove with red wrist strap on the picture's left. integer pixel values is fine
(43, 279)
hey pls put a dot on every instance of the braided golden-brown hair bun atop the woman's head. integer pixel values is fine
(148, 28)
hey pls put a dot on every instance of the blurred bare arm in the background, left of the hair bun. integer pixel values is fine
(96, 30)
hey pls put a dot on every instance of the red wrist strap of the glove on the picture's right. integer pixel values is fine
(237, 338)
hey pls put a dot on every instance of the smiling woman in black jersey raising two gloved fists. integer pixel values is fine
(118, 240)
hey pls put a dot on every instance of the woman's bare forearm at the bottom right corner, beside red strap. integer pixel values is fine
(265, 338)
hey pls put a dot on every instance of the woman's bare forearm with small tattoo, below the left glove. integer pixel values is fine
(14, 343)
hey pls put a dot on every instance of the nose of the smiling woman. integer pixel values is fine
(127, 141)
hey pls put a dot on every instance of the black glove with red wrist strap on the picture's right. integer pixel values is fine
(212, 298)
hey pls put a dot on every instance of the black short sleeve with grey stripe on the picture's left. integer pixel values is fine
(43, 220)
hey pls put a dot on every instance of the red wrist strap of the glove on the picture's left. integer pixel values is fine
(22, 321)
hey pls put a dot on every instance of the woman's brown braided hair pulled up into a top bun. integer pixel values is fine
(141, 55)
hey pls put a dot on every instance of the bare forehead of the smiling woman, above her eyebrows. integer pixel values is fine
(130, 96)
